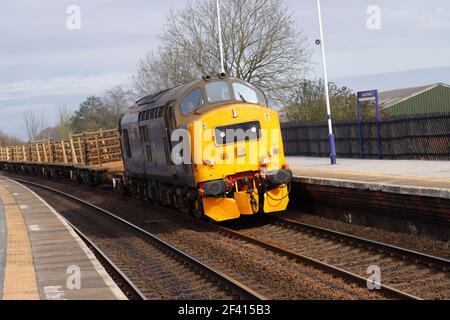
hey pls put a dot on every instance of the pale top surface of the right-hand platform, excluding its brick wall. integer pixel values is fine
(415, 177)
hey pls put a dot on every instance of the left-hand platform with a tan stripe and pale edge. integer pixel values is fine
(41, 256)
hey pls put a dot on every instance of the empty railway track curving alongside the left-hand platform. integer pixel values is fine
(178, 274)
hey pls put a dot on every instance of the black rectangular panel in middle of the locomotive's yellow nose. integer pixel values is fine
(240, 132)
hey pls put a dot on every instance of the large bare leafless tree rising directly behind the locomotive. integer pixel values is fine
(261, 45)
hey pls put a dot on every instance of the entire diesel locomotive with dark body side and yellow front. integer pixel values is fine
(210, 148)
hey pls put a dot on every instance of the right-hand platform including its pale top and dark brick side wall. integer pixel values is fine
(399, 195)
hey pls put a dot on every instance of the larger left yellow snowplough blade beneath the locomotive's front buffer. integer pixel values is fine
(221, 209)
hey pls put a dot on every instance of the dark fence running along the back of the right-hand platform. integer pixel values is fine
(413, 137)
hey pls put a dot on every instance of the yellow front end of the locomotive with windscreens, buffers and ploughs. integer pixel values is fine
(237, 153)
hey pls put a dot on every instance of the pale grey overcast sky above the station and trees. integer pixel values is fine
(43, 65)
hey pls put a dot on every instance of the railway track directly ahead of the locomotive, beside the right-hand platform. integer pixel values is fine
(406, 273)
